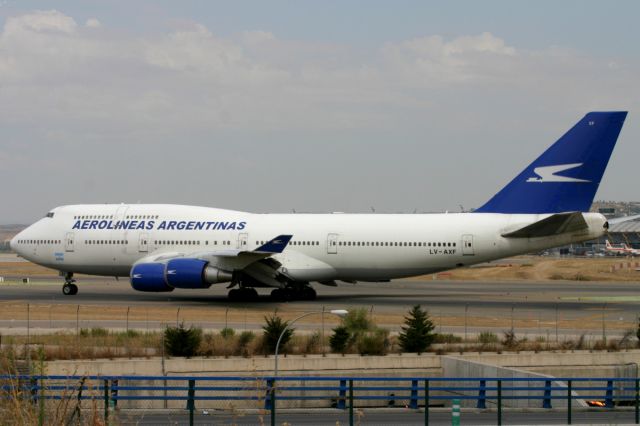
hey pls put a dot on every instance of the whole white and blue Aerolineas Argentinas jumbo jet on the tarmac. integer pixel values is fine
(162, 247)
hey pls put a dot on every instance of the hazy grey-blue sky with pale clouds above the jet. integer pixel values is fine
(305, 105)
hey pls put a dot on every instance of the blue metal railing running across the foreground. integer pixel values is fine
(343, 393)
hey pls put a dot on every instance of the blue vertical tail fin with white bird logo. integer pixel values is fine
(566, 176)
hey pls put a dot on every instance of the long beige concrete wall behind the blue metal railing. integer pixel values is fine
(524, 364)
